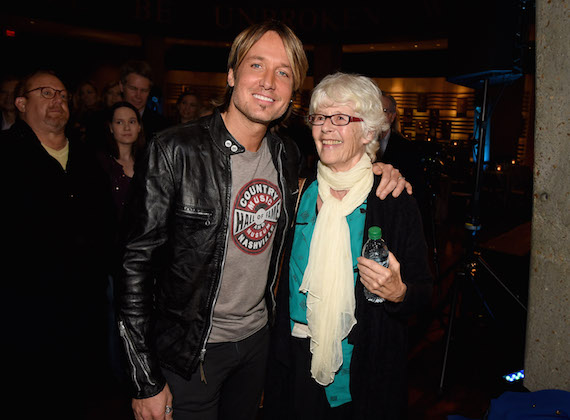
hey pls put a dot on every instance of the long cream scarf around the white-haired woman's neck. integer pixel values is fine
(329, 278)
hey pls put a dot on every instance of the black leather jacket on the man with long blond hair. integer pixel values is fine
(176, 246)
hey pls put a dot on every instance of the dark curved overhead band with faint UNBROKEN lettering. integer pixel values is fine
(215, 21)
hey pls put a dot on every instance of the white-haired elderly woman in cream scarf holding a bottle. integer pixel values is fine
(335, 354)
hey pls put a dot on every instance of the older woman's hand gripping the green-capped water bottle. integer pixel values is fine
(384, 282)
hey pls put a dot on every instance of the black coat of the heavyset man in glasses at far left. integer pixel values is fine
(58, 223)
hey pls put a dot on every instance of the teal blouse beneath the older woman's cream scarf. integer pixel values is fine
(338, 392)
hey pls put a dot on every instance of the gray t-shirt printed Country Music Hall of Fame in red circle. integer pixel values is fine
(240, 309)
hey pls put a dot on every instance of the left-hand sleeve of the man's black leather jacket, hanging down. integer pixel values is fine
(153, 192)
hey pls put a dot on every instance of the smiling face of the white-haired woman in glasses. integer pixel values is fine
(340, 147)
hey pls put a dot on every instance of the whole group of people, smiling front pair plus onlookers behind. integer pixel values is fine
(192, 261)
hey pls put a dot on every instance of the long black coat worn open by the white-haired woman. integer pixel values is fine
(378, 369)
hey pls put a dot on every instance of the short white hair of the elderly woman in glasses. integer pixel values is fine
(359, 92)
